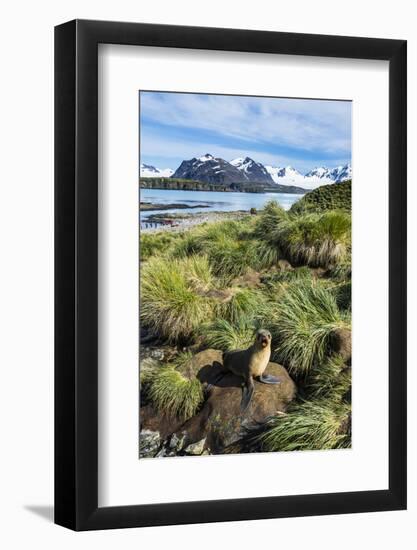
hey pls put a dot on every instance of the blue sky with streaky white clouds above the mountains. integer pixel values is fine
(303, 133)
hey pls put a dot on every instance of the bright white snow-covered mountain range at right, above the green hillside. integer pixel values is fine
(314, 178)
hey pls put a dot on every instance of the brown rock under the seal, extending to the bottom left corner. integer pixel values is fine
(219, 426)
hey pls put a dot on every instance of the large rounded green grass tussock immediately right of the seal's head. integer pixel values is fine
(304, 317)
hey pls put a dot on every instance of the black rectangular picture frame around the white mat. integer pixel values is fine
(76, 272)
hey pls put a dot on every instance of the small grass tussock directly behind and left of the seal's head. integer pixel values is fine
(226, 336)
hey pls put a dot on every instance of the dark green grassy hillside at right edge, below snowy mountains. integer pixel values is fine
(327, 197)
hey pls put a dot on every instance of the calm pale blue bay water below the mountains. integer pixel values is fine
(214, 201)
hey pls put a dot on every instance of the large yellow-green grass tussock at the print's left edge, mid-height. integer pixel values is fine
(173, 301)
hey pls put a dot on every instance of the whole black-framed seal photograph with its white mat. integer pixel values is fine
(230, 275)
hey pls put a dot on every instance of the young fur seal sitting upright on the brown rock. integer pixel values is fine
(250, 364)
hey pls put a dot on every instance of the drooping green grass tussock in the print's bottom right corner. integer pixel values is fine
(310, 425)
